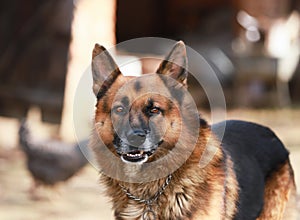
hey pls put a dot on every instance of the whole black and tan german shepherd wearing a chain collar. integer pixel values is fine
(150, 142)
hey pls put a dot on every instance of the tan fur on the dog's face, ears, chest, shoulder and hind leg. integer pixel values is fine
(204, 186)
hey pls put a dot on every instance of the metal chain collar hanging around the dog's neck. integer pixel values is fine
(148, 202)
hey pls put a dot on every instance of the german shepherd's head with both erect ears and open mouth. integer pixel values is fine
(140, 119)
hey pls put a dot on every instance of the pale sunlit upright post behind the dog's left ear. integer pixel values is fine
(94, 21)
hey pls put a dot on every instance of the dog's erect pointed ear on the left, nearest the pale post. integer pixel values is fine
(104, 70)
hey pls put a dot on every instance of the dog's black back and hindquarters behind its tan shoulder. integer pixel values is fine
(259, 159)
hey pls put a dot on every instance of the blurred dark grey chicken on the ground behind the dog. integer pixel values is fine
(50, 161)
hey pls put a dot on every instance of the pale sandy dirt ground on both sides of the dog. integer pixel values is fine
(82, 197)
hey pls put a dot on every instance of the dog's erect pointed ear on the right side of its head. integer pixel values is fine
(175, 63)
